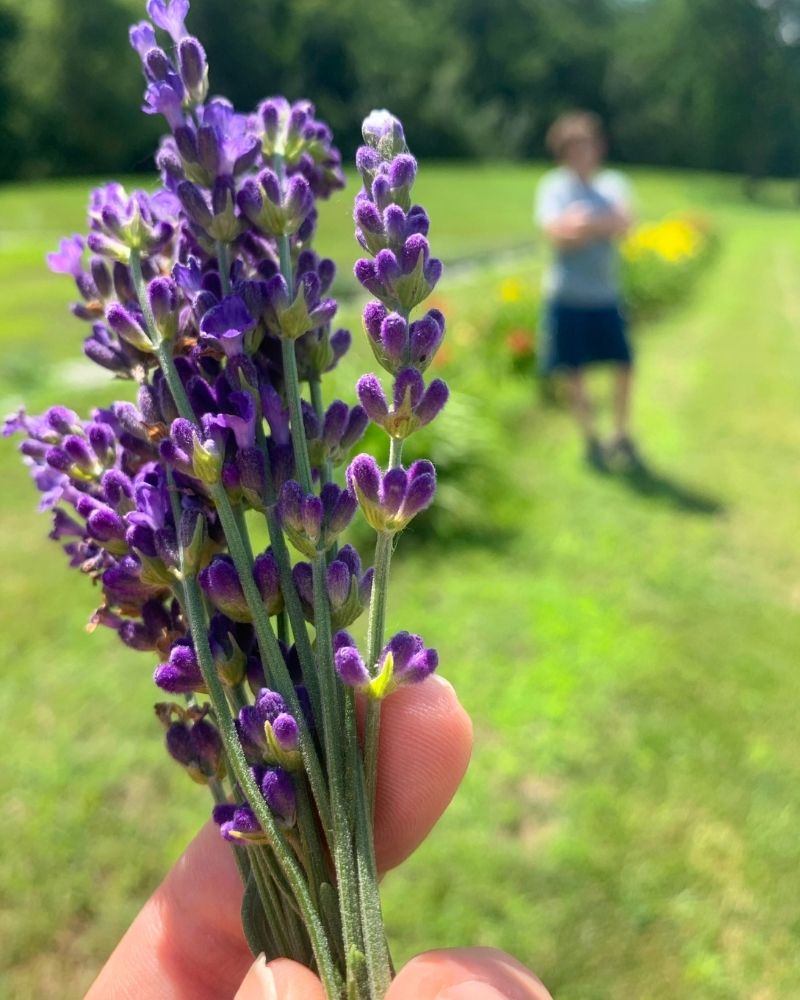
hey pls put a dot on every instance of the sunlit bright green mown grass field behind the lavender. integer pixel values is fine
(627, 647)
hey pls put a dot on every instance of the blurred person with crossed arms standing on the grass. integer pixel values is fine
(584, 211)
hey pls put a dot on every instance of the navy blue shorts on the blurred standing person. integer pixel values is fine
(576, 336)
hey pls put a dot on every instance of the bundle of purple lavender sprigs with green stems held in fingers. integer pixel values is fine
(208, 294)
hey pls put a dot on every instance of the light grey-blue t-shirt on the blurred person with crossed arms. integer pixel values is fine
(589, 275)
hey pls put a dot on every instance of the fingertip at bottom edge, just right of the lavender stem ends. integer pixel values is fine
(466, 974)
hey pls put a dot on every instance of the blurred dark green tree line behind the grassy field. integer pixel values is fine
(697, 83)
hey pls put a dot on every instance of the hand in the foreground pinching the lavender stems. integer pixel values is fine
(187, 942)
